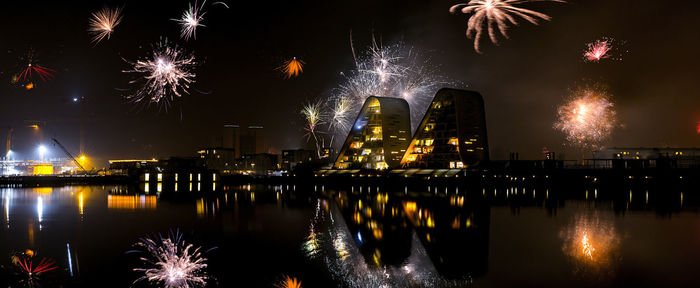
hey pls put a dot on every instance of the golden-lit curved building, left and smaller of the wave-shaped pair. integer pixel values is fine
(379, 136)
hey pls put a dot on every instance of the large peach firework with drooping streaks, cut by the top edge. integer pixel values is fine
(496, 15)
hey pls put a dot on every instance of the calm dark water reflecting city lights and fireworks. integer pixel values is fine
(363, 236)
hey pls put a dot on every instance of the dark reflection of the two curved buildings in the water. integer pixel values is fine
(388, 231)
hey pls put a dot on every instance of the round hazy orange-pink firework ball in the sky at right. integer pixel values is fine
(587, 118)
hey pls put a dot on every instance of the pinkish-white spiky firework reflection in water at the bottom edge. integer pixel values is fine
(172, 262)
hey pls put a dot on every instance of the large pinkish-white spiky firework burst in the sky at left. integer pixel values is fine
(166, 74)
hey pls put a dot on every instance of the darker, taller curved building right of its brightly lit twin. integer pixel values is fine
(452, 133)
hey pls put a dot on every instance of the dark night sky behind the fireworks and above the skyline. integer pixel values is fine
(522, 80)
